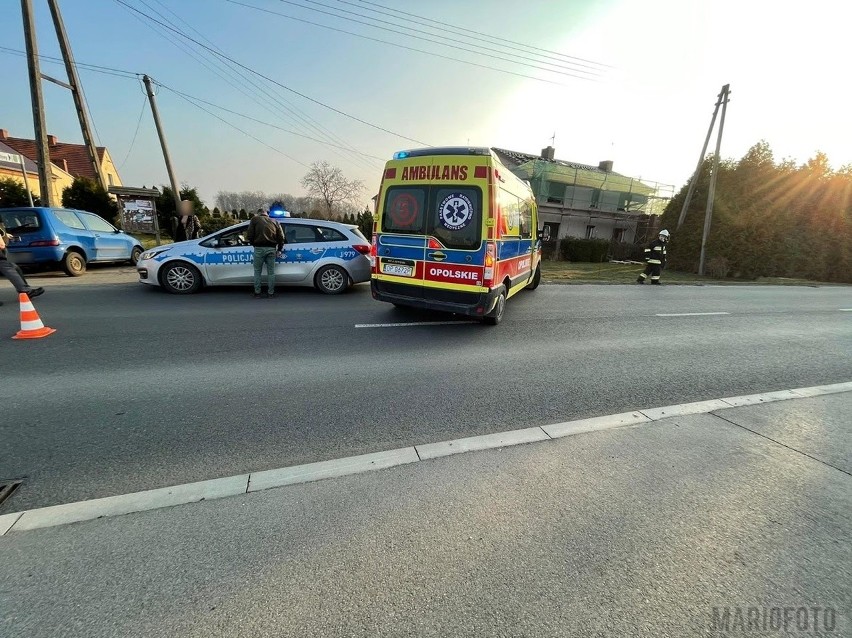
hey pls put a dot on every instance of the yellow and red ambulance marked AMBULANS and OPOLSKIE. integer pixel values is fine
(455, 231)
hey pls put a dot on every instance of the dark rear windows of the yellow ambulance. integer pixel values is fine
(451, 214)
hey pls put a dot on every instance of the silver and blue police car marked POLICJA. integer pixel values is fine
(327, 255)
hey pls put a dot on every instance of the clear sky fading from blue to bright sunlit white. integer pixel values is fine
(638, 88)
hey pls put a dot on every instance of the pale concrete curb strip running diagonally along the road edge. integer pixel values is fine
(241, 484)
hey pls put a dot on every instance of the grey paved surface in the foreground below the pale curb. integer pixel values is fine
(638, 531)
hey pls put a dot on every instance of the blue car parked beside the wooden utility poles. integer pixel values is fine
(66, 238)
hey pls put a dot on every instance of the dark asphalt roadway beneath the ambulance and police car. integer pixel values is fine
(140, 389)
